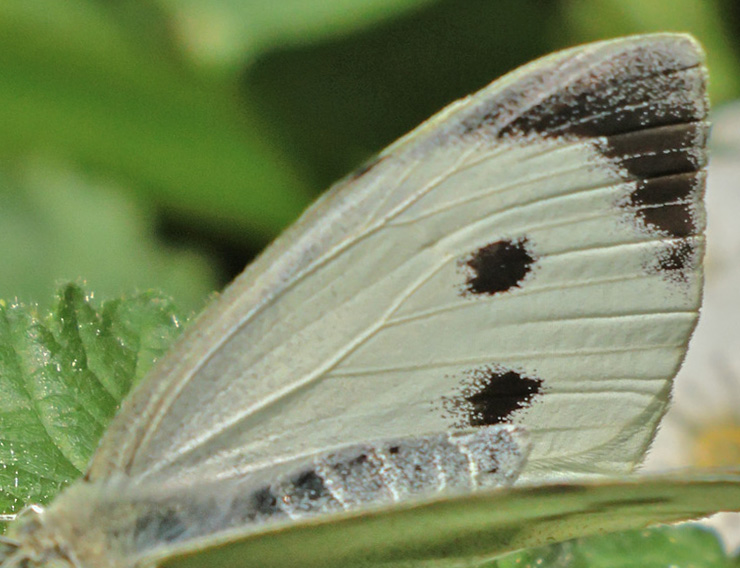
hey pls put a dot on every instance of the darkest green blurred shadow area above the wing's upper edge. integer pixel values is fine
(338, 101)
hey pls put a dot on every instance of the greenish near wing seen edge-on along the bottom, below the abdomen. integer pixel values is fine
(449, 532)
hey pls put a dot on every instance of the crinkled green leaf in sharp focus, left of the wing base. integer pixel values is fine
(63, 377)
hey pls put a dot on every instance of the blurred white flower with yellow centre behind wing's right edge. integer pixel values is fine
(702, 427)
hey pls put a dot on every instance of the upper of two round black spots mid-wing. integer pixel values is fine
(497, 267)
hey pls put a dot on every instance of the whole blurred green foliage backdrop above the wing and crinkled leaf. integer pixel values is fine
(162, 143)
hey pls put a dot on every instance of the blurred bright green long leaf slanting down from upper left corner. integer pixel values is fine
(76, 87)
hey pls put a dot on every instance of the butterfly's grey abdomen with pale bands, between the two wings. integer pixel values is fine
(364, 474)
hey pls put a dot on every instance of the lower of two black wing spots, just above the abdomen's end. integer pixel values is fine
(491, 395)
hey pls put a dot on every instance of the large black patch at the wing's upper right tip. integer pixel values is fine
(638, 109)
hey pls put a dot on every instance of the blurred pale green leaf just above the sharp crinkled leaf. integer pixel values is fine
(55, 225)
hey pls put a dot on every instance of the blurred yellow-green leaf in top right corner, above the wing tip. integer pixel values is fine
(599, 19)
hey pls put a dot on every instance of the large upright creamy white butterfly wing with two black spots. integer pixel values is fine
(361, 321)
